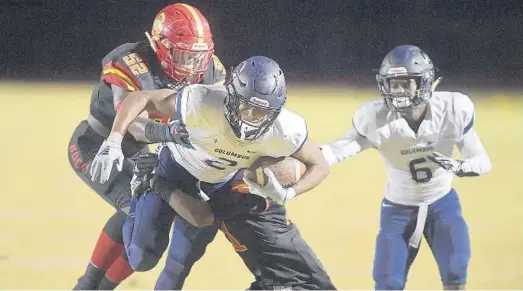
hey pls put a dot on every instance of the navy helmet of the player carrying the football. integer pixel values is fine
(256, 95)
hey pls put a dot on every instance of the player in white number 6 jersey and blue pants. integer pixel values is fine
(415, 130)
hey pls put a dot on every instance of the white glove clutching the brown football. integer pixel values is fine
(272, 189)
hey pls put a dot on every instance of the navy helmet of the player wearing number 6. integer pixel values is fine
(406, 78)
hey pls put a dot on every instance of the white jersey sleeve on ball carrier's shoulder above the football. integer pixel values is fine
(287, 135)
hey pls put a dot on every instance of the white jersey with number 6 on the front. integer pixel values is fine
(412, 179)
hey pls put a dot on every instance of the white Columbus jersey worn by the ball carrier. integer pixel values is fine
(218, 153)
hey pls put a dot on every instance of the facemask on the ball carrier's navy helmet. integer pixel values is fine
(248, 118)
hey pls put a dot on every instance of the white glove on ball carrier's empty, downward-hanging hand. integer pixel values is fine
(110, 152)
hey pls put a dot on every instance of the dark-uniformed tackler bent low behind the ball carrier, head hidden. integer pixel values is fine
(270, 245)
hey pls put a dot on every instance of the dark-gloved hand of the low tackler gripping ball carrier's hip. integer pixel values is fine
(143, 171)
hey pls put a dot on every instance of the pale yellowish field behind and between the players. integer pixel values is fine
(50, 220)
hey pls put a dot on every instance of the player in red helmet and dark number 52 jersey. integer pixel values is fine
(179, 51)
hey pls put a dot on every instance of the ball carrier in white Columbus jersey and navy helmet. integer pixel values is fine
(230, 127)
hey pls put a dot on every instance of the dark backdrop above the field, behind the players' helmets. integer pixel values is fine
(473, 41)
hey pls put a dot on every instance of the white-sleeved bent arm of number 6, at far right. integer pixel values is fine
(475, 160)
